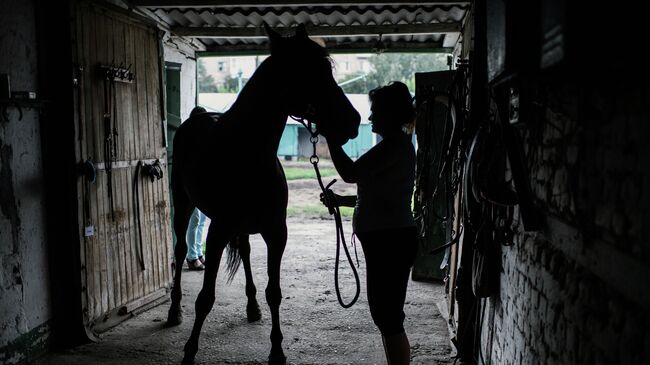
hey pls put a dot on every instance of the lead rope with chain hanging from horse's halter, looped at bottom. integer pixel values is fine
(340, 235)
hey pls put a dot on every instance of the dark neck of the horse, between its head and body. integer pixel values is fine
(259, 108)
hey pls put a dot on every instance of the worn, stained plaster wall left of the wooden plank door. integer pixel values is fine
(25, 299)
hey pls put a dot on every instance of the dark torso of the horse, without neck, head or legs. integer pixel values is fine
(224, 172)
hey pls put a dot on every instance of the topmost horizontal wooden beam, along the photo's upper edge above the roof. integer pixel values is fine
(261, 3)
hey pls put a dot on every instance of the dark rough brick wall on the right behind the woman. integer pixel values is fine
(577, 292)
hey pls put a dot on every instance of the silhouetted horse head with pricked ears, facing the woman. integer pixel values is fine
(312, 91)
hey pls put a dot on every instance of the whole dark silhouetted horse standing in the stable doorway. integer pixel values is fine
(227, 166)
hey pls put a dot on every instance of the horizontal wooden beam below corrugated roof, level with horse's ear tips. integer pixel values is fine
(319, 31)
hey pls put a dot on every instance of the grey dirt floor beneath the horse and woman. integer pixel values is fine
(316, 329)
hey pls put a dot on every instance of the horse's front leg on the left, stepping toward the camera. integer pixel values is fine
(216, 242)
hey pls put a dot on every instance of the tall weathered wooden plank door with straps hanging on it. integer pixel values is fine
(123, 191)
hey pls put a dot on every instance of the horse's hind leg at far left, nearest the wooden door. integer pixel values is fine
(182, 212)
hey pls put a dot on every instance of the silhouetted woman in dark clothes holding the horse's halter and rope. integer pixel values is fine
(383, 220)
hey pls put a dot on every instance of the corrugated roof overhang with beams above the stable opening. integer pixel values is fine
(229, 27)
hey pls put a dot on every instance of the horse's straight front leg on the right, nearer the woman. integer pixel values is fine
(276, 241)
